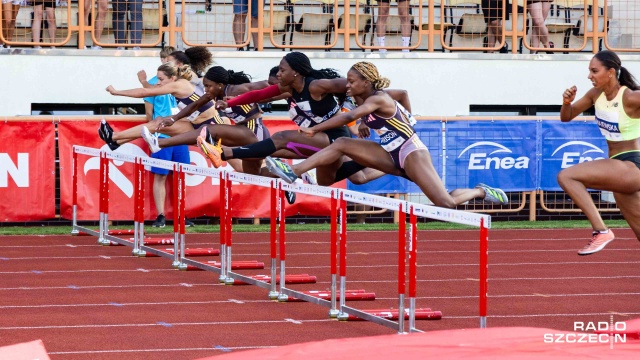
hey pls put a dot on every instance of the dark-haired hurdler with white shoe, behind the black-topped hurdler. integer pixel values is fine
(248, 129)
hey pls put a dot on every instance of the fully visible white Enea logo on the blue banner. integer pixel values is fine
(484, 161)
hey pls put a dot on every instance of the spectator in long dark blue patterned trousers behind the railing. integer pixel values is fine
(120, 8)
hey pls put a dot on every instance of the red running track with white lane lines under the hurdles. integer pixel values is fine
(88, 301)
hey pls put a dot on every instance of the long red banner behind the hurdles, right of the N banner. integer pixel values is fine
(202, 193)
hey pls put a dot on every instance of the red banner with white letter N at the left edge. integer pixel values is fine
(27, 171)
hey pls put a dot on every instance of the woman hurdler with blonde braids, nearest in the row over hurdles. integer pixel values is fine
(400, 151)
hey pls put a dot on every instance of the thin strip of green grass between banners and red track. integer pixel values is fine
(65, 230)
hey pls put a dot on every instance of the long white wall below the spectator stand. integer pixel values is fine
(439, 84)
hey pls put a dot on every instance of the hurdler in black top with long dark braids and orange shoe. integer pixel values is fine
(312, 99)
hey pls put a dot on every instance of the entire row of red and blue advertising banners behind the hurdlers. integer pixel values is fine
(515, 155)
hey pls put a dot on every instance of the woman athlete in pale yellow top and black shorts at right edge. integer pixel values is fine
(617, 103)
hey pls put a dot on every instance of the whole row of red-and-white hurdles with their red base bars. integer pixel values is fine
(278, 289)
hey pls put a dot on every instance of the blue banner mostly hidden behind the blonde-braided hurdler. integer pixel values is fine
(430, 133)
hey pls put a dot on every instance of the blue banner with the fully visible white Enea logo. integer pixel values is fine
(501, 154)
